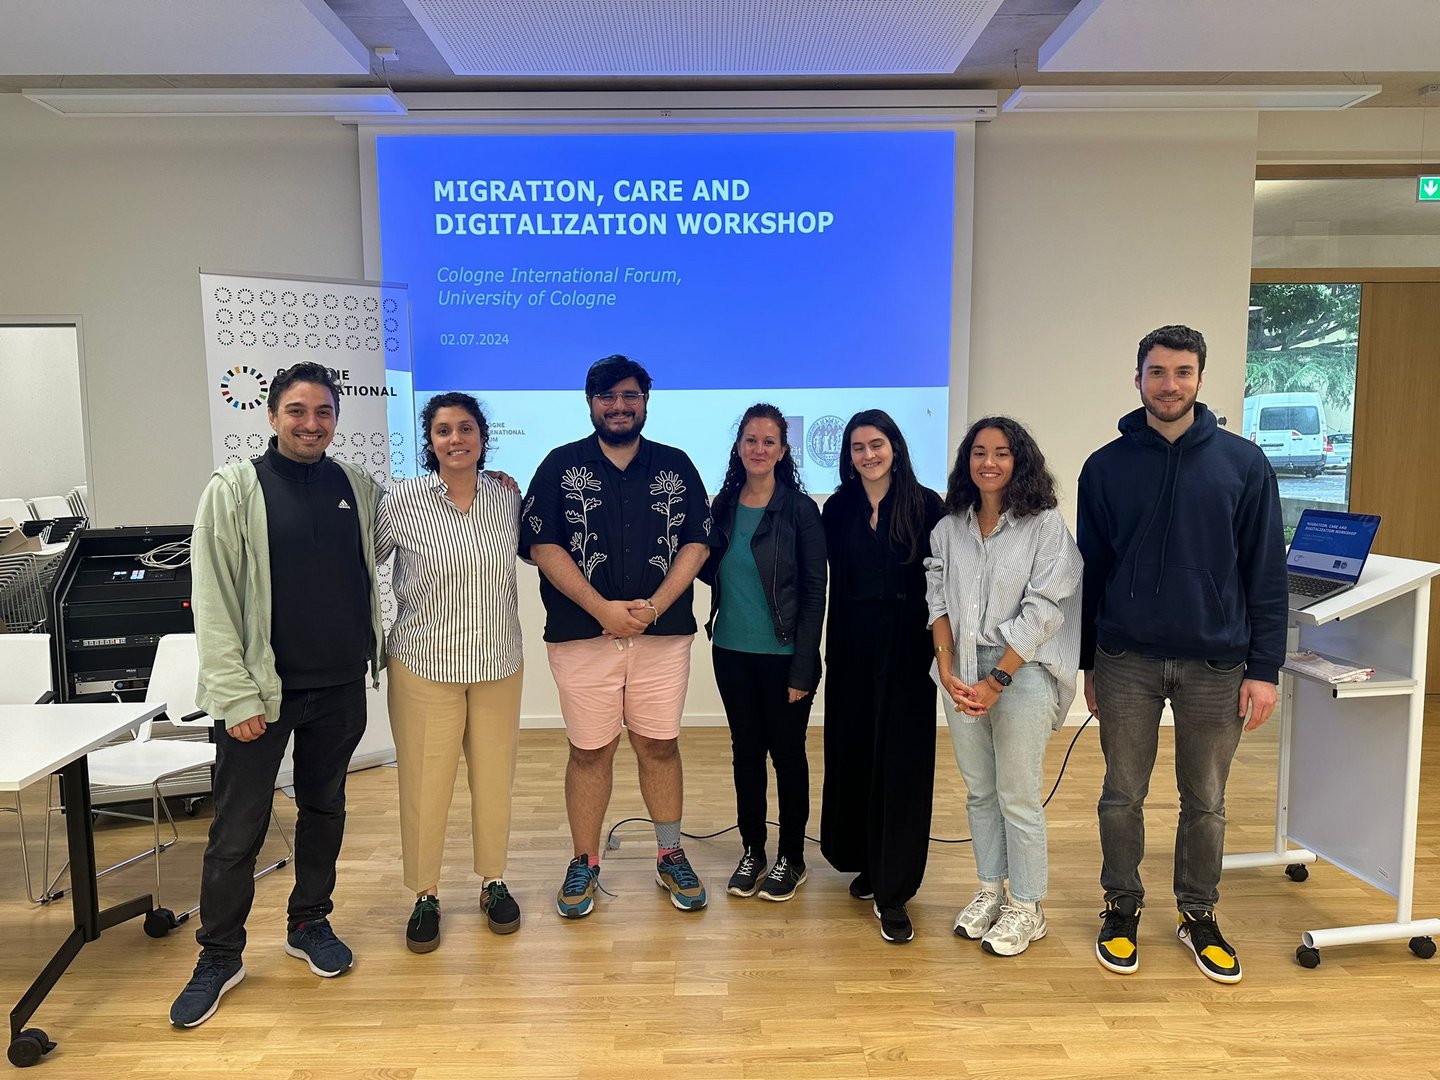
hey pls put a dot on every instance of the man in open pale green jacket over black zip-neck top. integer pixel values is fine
(287, 621)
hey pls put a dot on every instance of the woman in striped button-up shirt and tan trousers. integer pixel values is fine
(456, 660)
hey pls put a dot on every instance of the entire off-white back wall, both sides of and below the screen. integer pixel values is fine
(1091, 231)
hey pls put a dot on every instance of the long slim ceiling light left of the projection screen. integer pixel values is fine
(220, 103)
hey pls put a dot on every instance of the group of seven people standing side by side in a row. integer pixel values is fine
(1176, 593)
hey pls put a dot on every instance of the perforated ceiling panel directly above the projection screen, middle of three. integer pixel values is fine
(618, 38)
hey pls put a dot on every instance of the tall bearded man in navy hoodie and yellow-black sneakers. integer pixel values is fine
(1186, 601)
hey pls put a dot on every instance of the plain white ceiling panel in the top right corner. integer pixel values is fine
(1246, 37)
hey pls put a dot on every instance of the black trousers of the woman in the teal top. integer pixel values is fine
(755, 690)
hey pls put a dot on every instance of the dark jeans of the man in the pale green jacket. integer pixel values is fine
(328, 725)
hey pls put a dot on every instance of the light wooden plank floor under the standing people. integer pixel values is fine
(750, 989)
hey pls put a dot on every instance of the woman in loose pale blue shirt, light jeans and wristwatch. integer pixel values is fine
(1004, 593)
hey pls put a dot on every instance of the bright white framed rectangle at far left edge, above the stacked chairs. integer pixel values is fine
(42, 431)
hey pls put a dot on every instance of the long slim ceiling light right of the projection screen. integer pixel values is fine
(1164, 99)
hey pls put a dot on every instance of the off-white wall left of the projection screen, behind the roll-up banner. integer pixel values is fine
(112, 220)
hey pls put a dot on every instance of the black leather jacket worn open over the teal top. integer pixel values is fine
(790, 554)
